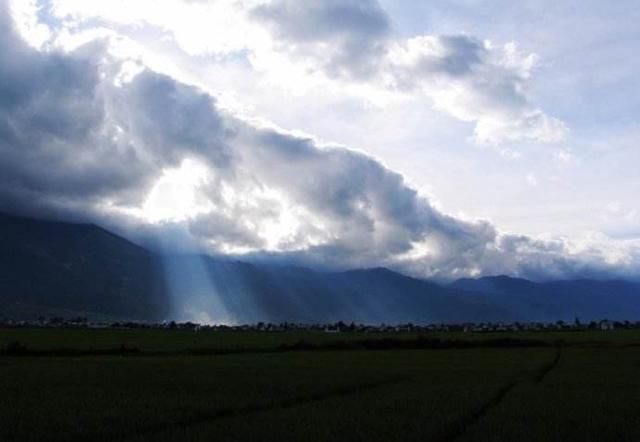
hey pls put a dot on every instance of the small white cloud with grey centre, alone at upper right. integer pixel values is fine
(476, 81)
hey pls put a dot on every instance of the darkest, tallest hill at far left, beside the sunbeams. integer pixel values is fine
(50, 268)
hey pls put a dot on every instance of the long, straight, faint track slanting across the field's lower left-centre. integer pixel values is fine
(253, 409)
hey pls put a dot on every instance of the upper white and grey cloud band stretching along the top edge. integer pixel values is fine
(348, 46)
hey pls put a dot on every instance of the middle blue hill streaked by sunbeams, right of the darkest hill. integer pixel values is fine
(251, 293)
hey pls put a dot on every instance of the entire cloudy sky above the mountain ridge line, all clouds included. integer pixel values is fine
(441, 139)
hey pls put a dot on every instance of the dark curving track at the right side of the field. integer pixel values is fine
(460, 427)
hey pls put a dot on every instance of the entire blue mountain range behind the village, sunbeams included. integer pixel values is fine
(51, 268)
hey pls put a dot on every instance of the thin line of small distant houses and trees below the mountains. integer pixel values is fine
(338, 327)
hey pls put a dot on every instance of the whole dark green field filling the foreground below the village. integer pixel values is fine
(583, 386)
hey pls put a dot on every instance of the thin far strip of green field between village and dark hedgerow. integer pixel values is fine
(155, 340)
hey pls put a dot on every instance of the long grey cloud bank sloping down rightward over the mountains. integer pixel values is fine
(76, 139)
